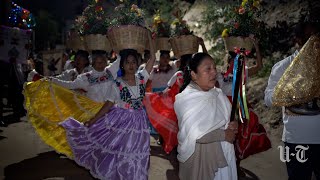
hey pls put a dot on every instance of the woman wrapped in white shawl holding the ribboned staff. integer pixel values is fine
(205, 136)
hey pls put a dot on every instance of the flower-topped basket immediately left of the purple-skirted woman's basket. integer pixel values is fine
(93, 25)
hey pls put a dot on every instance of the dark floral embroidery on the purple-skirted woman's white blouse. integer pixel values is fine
(126, 96)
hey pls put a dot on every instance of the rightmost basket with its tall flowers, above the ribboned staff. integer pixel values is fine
(241, 23)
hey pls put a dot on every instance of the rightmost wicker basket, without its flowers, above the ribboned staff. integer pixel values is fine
(240, 42)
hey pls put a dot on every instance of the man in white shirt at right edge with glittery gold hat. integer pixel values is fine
(302, 121)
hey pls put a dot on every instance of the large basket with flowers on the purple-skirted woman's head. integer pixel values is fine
(127, 30)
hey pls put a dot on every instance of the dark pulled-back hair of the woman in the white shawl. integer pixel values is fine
(193, 64)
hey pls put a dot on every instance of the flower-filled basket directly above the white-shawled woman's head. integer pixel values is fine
(182, 41)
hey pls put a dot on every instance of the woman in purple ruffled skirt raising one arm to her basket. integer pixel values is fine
(115, 143)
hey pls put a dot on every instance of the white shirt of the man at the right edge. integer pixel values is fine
(297, 129)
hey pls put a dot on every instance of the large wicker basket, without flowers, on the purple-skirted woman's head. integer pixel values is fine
(128, 37)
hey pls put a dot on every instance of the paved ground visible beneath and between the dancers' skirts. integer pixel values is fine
(23, 156)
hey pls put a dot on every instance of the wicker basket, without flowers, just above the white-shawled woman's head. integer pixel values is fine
(186, 44)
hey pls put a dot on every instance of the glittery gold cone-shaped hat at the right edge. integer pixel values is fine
(300, 82)
